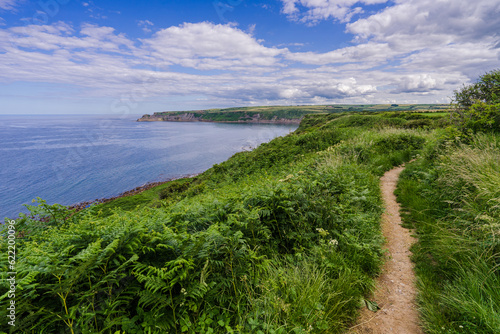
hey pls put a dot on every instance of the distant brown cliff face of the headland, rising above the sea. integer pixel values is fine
(201, 117)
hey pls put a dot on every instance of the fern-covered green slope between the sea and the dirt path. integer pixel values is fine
(282, 239)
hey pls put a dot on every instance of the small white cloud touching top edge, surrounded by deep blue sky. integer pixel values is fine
(313, 11)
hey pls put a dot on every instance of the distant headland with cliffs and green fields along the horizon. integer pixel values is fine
(279, 114)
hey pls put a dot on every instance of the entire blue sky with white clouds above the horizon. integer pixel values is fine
(138, 57)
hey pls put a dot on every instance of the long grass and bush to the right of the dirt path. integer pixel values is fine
(452, 196)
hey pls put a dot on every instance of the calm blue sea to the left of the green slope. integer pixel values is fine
(71, 159)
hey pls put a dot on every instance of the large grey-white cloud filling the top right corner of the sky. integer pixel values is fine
(442, 36)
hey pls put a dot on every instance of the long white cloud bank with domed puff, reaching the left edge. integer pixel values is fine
(107, 64)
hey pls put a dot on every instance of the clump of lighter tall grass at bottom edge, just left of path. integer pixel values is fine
(302, 297)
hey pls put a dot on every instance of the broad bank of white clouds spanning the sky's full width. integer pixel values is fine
(405, 53)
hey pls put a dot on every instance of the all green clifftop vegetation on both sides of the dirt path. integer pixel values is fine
(281, 239)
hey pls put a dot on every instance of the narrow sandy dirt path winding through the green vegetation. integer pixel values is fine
(395, 293)
